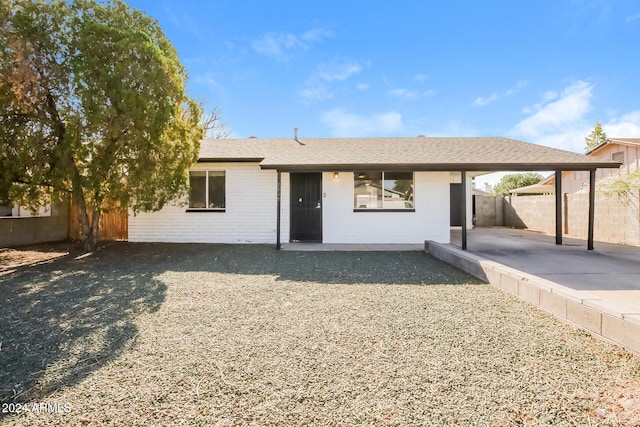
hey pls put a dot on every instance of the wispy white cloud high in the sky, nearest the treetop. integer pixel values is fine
(279, 46)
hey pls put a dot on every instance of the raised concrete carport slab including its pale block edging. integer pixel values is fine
(596, 290)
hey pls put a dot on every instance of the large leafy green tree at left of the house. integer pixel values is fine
(92, 104)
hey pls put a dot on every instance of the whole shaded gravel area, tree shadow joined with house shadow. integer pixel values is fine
(65, 316)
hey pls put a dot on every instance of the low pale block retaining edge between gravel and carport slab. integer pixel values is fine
(579, 308)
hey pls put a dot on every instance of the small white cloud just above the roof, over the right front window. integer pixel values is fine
(345, 124)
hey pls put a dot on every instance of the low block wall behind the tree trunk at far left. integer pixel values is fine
(17, 231)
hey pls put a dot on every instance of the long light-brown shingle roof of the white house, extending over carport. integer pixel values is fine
(421, 153)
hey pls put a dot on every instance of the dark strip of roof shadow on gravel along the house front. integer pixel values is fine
(414, 268)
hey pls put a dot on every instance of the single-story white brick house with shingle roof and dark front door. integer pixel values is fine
(340, 190)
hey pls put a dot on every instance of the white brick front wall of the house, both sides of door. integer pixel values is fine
(250, 215)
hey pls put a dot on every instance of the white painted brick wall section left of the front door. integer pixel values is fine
(250, 215)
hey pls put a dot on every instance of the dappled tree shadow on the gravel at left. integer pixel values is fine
(64, 317)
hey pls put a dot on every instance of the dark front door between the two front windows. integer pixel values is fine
(306, 207)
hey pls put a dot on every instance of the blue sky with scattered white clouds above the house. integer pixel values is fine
(541, 71)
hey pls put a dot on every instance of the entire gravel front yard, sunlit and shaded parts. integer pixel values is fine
(226, 335)
